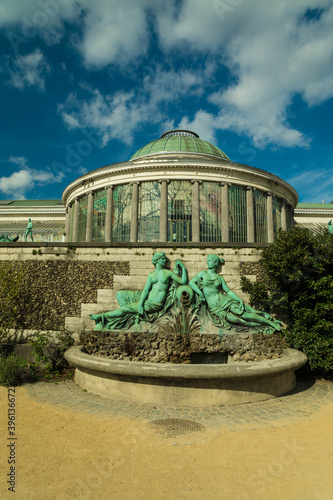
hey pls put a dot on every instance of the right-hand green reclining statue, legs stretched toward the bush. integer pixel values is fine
(225, 308)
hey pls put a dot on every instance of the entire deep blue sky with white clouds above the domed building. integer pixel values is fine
(85, 84)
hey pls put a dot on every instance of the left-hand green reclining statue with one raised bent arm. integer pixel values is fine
(155, 300)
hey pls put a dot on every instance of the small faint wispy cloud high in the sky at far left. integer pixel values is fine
(29, 71)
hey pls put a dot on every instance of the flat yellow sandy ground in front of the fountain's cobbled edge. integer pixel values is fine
(63, 455)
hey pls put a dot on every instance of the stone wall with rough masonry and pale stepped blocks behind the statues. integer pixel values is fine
(68, 283)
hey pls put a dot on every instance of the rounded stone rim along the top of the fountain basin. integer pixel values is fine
(291, 359)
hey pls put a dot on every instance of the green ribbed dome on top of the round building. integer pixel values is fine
(180, 141)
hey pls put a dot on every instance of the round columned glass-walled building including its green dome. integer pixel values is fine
(178, 189)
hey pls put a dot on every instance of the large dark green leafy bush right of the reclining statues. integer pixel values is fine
(298, 282)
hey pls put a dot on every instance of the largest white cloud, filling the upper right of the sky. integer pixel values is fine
(273, 52)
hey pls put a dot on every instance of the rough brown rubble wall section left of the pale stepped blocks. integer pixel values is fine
(53, 290)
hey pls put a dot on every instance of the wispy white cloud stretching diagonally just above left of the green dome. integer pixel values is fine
(119, 115)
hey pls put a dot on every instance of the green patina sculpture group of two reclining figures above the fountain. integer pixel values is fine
(213, 303)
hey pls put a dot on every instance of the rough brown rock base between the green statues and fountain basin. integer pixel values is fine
(184, 347)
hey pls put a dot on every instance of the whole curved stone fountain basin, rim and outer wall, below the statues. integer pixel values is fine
(186, 384)
